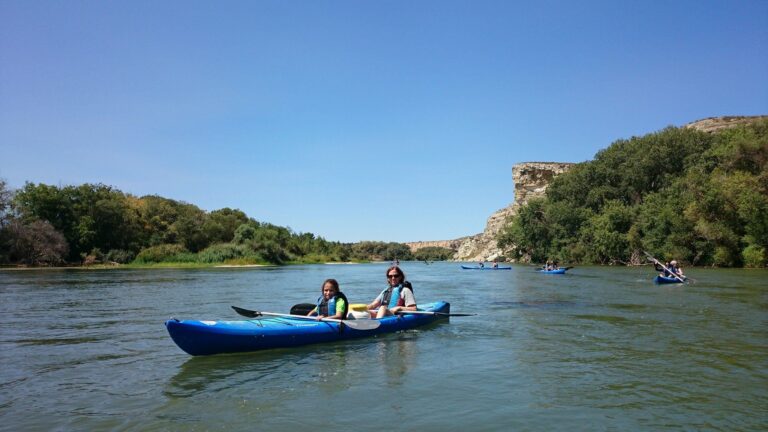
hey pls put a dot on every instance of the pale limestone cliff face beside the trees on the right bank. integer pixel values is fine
(530, 180)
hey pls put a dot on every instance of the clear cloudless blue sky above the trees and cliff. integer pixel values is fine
(357, 120)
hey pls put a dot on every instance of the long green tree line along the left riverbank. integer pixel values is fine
(94, 223)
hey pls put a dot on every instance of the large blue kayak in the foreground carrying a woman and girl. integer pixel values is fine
(217, 337)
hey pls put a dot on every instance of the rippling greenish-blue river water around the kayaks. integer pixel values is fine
(596, 349)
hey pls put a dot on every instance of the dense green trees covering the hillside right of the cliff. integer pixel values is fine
(681, 193)
